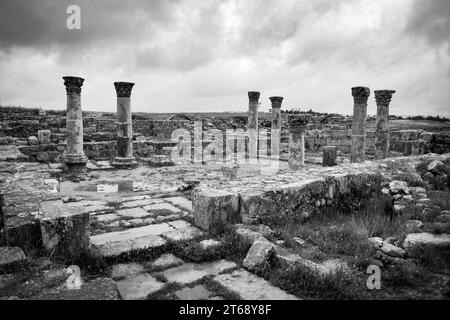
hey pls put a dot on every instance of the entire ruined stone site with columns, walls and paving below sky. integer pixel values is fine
(279, 205)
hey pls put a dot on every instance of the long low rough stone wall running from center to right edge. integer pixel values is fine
(293, 195)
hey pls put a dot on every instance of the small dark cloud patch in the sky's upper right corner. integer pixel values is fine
(431, 19)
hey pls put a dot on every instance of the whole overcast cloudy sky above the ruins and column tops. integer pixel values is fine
(204, 55)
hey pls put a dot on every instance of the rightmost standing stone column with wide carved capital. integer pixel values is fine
(383, 98)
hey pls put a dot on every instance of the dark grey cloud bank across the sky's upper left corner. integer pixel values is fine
(42, 23)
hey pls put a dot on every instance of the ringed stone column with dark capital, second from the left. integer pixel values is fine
(124, 138)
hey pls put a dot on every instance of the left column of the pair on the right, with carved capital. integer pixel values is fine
(360, 96)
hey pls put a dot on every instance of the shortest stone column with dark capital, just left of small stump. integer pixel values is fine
(297, 128)
